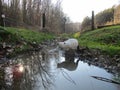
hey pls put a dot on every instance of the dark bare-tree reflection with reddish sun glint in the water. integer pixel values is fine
(36, 69)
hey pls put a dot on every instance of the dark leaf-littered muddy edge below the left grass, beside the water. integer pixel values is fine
(8, 50)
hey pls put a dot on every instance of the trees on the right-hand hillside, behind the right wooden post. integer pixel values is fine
(110, 16)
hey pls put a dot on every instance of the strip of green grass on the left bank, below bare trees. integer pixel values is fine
(29, 35)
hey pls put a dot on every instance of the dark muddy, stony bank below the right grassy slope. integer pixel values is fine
(97, 58)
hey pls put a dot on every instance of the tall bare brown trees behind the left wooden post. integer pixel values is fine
(28, 13)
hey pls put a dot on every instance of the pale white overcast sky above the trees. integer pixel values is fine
(78, 9)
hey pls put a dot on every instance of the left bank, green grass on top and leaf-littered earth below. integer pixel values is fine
(21, 39)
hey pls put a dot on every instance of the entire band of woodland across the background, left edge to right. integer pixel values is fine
(28, 14)
